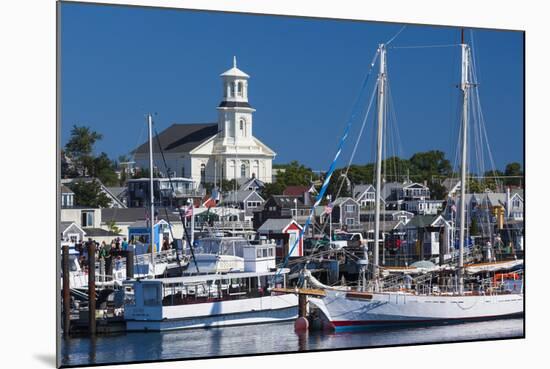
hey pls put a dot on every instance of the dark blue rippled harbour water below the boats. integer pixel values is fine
(271, 338)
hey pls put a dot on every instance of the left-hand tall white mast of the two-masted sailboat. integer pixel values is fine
(381, 93)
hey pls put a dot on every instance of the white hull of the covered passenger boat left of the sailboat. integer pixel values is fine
(267, 309)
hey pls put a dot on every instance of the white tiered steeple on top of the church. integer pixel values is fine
(234, 111)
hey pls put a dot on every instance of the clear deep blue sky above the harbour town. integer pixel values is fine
(118, 63)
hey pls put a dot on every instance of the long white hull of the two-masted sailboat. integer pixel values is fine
(345, 313)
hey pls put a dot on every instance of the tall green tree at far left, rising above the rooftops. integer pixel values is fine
(80, 147)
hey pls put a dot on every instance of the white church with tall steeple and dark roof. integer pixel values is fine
(209, 152)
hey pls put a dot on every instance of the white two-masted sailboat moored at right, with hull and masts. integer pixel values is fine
(378, 304)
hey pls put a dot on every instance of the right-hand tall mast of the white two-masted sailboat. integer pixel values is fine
(464, 85)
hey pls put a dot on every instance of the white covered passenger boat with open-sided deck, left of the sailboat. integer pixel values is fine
(213, 299)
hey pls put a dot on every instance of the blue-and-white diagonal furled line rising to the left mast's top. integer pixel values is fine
(332, 167)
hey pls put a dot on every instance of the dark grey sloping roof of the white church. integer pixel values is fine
(181, 138)
